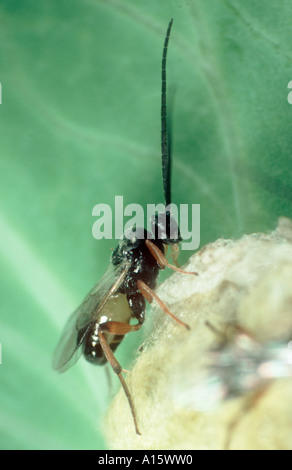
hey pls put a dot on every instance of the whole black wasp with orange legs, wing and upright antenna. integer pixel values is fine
(98, 326)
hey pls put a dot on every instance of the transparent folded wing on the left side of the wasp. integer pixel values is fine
(68, 349)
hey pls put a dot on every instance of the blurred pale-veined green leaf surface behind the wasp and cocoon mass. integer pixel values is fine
(79, 124)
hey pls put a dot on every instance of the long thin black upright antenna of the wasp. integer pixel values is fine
(165, 142)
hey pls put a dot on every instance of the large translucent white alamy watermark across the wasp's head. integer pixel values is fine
(186, 216)
